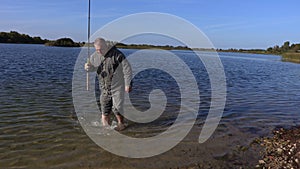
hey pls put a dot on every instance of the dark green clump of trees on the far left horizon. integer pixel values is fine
(15, 37)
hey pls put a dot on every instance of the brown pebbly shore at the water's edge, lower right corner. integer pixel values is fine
(279, 150)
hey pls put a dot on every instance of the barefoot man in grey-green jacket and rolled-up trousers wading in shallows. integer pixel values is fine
(114, 74)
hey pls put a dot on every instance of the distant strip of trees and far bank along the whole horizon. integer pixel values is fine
(289, 52)
